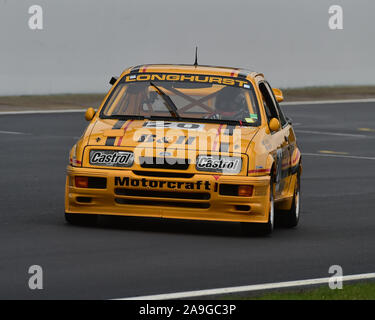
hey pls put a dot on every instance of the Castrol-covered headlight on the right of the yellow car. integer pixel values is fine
(222, 164)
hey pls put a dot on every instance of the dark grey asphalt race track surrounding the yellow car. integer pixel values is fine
(126, 257)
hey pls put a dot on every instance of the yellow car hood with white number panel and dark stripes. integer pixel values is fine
(177, 134)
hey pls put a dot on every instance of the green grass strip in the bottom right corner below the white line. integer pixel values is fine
(357, 291)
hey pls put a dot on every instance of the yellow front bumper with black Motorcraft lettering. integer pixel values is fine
(158, 198)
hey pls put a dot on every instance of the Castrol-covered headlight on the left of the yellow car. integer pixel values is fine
(111, 158)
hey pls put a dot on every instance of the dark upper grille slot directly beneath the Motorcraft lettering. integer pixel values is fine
(162, 194)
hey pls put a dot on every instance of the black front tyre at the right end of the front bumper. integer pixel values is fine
(262, 229)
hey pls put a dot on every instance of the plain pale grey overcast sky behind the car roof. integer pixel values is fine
(85, 42)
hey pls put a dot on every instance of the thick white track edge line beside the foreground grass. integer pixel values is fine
(257, 287)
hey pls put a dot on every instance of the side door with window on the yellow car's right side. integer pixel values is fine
(280, 140)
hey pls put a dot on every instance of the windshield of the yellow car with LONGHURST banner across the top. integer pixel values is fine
(181, 96)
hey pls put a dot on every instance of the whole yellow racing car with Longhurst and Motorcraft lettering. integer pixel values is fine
(187, 142)
